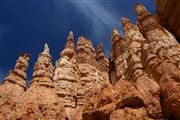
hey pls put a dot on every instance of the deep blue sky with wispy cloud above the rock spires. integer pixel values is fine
(27, 24)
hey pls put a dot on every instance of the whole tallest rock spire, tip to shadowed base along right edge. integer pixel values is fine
(160, 56)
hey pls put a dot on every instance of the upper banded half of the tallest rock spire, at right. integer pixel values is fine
(158, 36)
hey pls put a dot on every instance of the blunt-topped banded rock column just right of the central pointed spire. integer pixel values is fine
(90, 81)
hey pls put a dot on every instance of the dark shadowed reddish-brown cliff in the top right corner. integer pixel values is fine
(167, 14)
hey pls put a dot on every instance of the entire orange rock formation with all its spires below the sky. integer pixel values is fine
(139, 81)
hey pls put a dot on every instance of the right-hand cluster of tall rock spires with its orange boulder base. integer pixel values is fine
(149, 71)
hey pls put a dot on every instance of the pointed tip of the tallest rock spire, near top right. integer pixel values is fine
(141, 11)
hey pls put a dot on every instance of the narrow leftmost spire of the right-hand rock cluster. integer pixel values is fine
(119, 54)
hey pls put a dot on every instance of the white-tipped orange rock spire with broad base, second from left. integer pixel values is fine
(40, 101)
